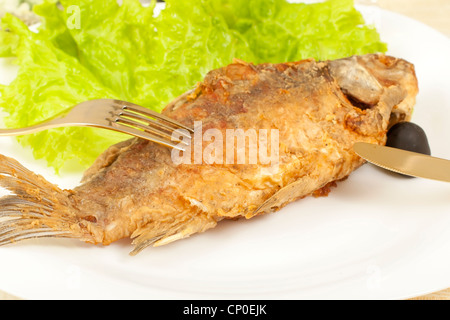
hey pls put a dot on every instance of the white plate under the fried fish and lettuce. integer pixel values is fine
(377, 236)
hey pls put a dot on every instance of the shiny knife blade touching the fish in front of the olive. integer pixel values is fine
(405, 162)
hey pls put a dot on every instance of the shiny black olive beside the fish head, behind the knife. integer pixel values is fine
(408, 136)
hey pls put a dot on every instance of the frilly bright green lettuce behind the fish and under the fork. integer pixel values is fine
(91, 49)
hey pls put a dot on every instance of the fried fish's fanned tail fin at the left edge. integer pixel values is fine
(35, 208)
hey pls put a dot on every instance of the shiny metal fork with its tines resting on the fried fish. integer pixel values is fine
(114, 115)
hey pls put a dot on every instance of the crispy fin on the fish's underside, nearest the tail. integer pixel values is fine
(146, 237)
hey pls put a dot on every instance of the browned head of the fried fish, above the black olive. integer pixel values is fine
(378, 81)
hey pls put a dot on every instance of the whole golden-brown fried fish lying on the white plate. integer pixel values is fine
(134, 189)
